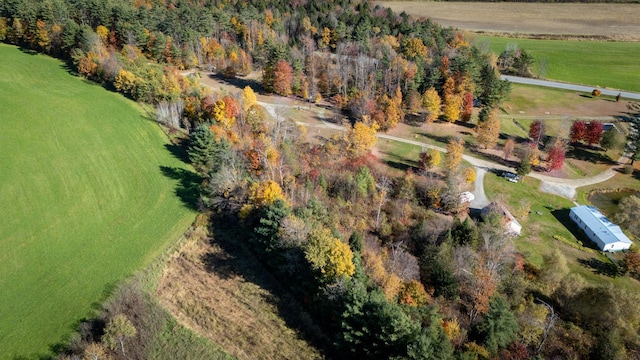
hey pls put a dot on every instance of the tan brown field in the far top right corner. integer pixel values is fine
(602, 21)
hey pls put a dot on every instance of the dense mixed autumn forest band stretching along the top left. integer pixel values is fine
(374, 63)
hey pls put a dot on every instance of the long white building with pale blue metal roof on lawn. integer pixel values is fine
(607, 235)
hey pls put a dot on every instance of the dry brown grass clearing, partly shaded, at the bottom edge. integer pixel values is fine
(224, 294)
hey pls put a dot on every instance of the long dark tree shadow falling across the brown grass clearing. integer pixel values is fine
(238, 260)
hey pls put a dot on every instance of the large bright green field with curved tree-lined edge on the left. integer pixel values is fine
(85, 200)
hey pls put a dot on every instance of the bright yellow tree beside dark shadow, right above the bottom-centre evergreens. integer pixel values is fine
(329, 255)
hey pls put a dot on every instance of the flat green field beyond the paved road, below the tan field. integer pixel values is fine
(594, 63)
